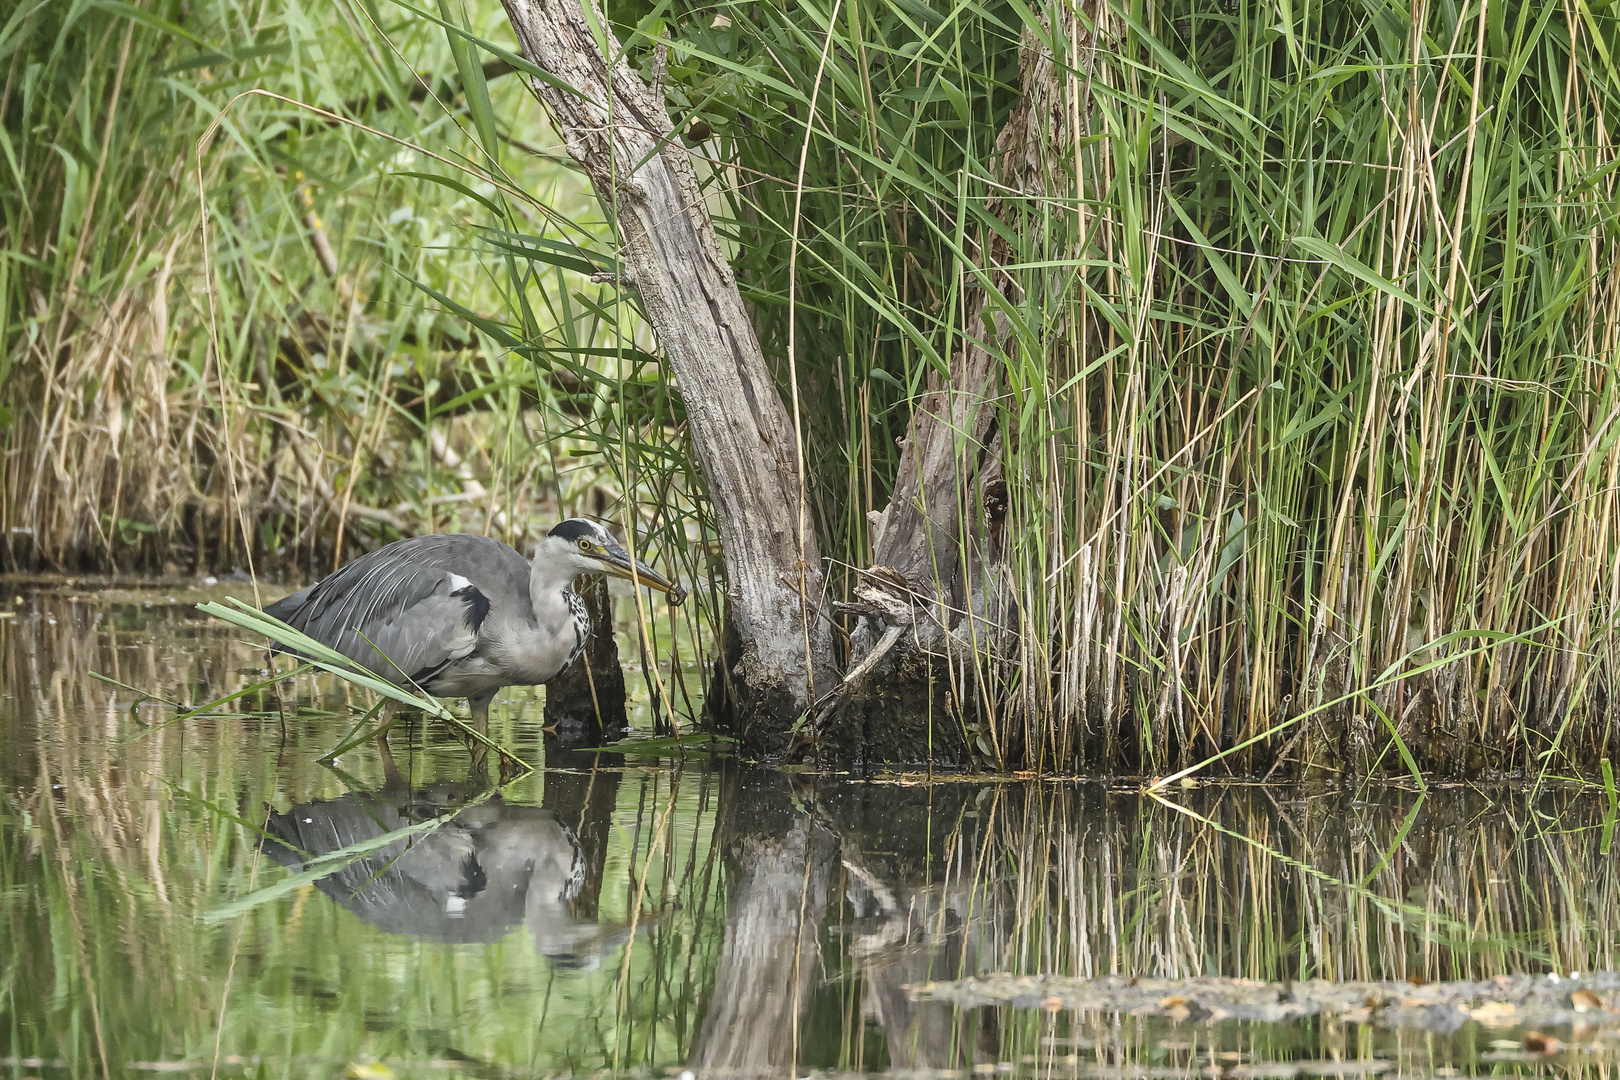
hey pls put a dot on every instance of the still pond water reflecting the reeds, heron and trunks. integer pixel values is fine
(208, 898)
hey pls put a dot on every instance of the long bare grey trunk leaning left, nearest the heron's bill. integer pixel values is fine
(620, 132)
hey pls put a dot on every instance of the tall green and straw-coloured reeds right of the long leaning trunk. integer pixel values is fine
(1305, 333)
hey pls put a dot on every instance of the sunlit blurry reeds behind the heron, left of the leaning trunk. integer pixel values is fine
(288, 370)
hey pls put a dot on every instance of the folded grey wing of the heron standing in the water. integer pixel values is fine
(403, 611)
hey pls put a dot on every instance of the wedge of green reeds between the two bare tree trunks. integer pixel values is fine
(905, 124)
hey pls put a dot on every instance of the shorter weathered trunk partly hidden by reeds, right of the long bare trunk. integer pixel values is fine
(931, 608)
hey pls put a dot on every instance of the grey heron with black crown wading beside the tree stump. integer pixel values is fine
(463, 616)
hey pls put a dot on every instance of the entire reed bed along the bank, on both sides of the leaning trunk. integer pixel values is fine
(1303, 333)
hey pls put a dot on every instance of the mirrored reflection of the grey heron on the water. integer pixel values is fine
(474, 880)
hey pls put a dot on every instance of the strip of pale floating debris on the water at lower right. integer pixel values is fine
(1506, 1001)
